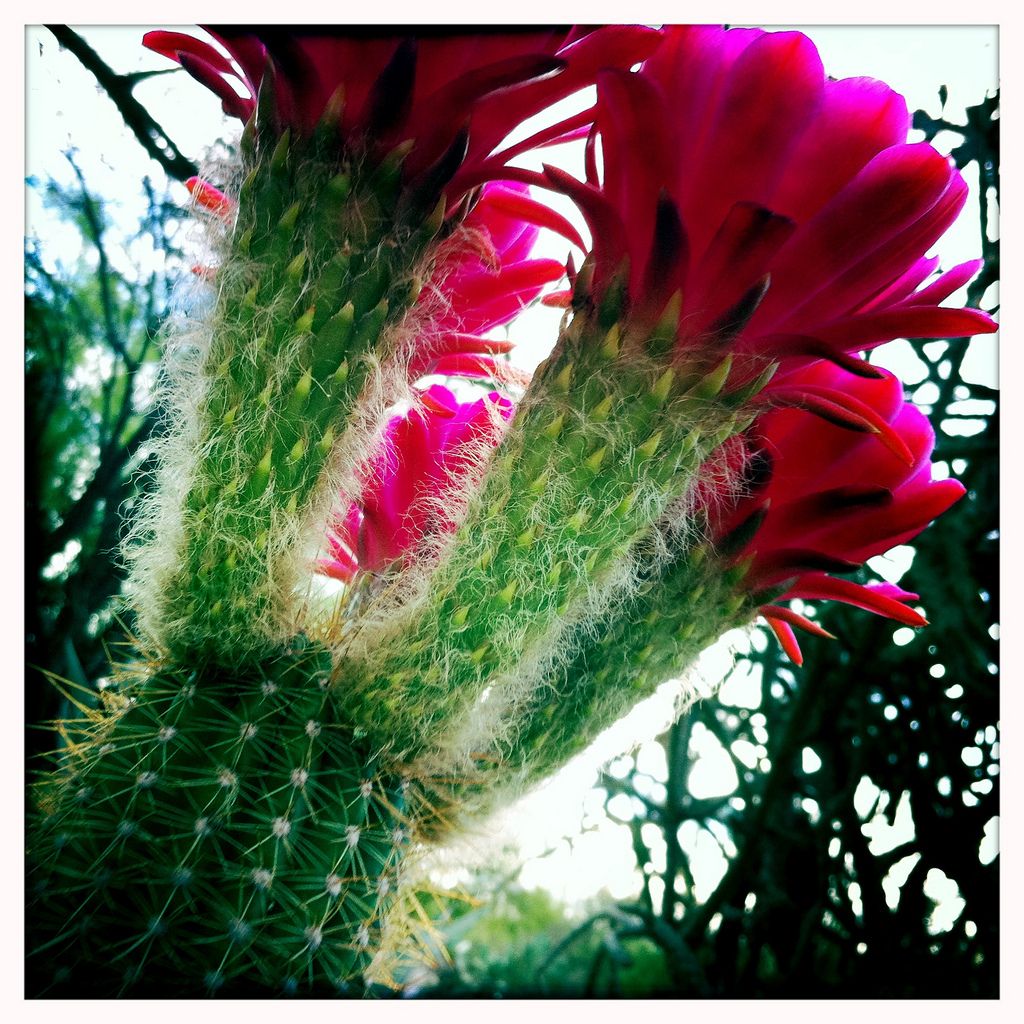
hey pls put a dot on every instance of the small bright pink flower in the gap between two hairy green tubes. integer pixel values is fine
(429, 453)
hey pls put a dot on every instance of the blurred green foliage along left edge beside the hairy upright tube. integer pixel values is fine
(91, 362)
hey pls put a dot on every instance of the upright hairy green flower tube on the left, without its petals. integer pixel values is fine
(320, 267)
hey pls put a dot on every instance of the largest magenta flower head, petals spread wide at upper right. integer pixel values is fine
(786, 210)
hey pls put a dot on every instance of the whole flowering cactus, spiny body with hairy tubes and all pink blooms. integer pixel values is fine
(705, 444)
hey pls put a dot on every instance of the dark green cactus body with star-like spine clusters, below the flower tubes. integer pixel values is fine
(215, 832)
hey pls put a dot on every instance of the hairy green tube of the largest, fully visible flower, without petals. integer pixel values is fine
(607, 438)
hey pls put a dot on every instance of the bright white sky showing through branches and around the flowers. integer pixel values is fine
(66, 110)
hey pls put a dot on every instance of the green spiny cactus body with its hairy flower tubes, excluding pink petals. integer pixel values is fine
(236, 819)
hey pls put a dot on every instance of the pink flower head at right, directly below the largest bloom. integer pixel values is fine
(826, 499)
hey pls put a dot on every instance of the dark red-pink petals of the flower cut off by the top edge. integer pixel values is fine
(457, 94)
